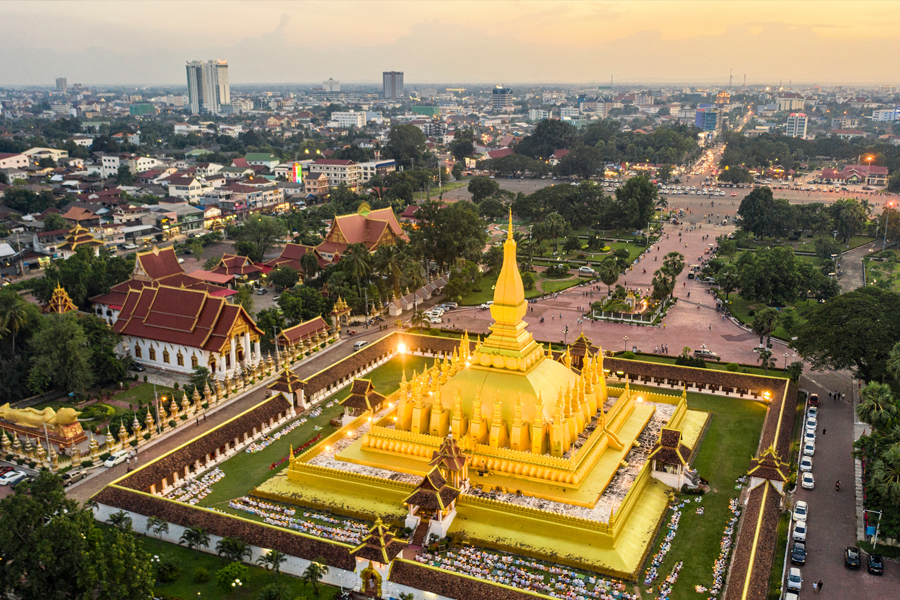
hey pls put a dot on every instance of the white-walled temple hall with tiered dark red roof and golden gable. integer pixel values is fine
(178, 329)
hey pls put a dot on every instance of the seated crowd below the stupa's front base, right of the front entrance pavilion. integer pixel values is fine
(553, 580)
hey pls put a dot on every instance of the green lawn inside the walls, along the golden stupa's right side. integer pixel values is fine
(724, 455)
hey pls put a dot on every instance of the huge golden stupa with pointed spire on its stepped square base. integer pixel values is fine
(517, 447)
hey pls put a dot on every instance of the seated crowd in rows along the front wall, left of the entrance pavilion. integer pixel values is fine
(311, 522)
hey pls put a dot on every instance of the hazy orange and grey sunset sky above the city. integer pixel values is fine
(134, 42)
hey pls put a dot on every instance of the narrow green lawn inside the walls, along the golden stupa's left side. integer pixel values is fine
(245, 471)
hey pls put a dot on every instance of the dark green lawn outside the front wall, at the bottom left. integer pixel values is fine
(185, 588)
